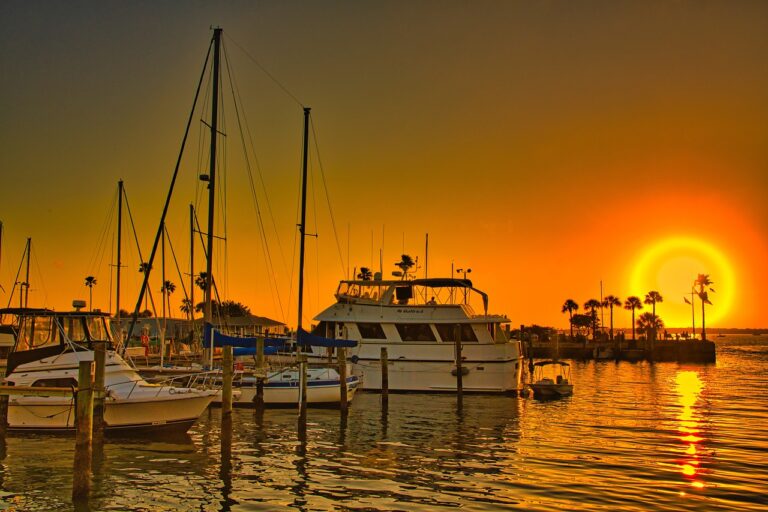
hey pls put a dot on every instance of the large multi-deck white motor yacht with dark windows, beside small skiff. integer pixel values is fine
(417, 320)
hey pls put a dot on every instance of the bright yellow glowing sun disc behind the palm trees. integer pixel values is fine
(670, 267)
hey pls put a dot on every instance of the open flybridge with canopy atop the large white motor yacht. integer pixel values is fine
(415, 292)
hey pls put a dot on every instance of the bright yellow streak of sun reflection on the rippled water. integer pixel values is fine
(689, 386)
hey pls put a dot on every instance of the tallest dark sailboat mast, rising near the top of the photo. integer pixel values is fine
(212, 177)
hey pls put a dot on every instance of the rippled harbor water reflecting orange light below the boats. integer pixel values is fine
(635, 436)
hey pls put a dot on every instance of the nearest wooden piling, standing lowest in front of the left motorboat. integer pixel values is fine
(81, 481)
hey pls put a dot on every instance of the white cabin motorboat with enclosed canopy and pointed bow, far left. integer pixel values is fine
(48, 349)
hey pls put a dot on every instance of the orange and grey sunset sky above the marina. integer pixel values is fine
(547, 145)
